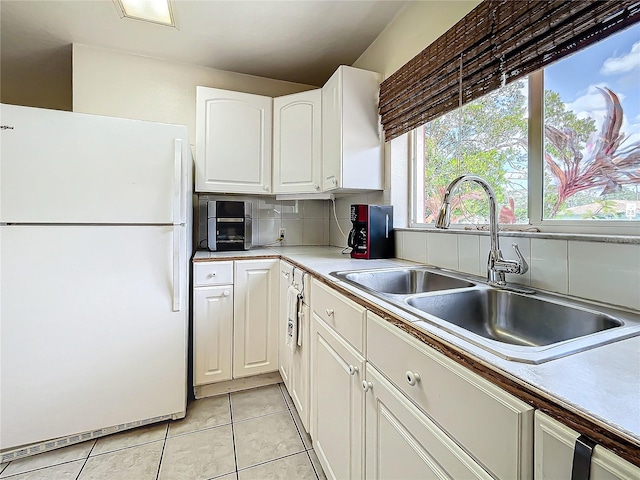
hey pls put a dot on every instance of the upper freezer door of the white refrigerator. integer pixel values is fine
(63, 167)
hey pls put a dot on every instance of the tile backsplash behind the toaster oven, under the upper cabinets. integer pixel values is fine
(306, 221)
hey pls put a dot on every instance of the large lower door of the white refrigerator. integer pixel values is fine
(90, 338)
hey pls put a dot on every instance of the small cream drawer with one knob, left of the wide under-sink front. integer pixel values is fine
(343, 315)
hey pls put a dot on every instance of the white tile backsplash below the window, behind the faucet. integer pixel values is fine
(600, 271)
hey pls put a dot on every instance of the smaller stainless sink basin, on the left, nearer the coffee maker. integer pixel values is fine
(403, 281)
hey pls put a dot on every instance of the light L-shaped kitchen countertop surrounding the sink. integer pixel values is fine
(601, 384)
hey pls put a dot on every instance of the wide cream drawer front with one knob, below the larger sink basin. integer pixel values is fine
(493, 426)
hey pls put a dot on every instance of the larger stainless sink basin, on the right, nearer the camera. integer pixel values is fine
(513, 318)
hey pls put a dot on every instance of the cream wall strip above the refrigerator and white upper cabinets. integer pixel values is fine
(119, 84)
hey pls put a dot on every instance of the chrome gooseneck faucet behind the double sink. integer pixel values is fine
(497, 266)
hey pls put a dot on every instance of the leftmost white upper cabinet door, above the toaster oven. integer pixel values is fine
(233, 142)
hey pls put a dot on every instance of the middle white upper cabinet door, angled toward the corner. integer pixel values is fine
(297, 147)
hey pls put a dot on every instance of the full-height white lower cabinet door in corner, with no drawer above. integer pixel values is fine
(255, 308)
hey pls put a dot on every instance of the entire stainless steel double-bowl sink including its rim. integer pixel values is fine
(531, 328)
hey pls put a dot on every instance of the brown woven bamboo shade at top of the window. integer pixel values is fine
(496, 43)
